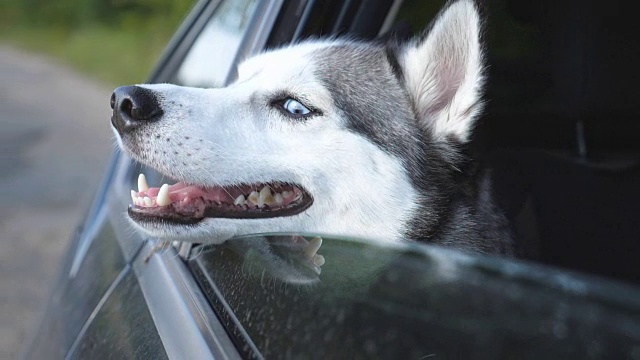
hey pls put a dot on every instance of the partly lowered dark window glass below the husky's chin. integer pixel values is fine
(300, 297)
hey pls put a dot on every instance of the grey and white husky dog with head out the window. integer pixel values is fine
(342, 137)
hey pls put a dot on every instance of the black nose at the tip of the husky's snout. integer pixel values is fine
(133, 106)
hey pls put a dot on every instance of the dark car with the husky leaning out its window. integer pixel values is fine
(560, 132)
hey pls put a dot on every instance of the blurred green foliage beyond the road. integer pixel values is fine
(116, 41)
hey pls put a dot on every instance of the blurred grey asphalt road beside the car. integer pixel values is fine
(54, 145)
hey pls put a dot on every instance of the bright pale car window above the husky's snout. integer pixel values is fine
(211, 57)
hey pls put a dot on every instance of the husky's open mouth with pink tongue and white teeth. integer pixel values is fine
(182, 203)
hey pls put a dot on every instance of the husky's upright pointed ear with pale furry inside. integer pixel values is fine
(443, 72)
